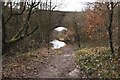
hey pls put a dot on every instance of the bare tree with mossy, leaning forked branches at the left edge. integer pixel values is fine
(23, 31)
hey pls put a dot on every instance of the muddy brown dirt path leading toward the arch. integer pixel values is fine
(60, 65)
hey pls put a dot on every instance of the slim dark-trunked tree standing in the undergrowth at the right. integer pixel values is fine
(108, 9)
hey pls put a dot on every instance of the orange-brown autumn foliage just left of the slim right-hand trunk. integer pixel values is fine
(94, 25)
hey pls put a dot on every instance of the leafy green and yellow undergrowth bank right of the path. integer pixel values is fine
(97, 62)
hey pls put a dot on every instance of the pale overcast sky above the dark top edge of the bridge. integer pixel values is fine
(70, 5)
